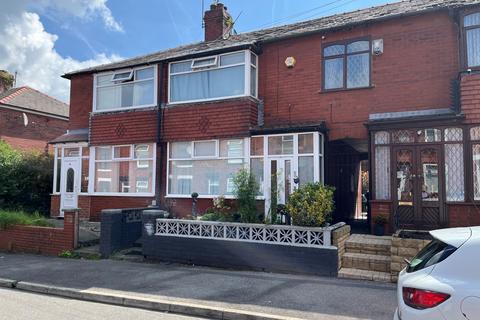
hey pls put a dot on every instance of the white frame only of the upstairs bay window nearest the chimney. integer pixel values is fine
(247, 69)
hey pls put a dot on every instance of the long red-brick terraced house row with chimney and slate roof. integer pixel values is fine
(381, 103)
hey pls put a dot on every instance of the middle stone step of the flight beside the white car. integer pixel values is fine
(364, 261)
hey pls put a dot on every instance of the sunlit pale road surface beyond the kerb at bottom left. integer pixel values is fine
(17, 305)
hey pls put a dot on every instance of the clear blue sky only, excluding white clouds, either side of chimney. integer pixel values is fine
(152, 25)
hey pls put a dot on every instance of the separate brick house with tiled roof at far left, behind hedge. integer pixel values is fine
(29, 119)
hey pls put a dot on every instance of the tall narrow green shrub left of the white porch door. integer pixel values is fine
(245, 190)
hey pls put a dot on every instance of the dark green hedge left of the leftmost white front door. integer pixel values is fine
(26, 180)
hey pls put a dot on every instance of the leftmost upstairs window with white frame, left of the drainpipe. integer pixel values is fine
(125, 89)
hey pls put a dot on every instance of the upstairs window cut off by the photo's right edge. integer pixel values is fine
(471, 24)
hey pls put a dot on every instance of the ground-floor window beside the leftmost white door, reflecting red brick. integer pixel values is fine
(124, 169)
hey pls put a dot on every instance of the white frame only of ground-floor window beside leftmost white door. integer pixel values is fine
(93, 161)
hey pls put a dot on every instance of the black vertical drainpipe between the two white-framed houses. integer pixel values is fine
(159, 164)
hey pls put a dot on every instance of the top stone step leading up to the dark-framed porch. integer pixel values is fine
(367, 244)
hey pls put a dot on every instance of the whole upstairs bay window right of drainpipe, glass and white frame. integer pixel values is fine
(222, 76)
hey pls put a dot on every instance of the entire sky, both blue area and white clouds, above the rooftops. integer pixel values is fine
(43, 39)
